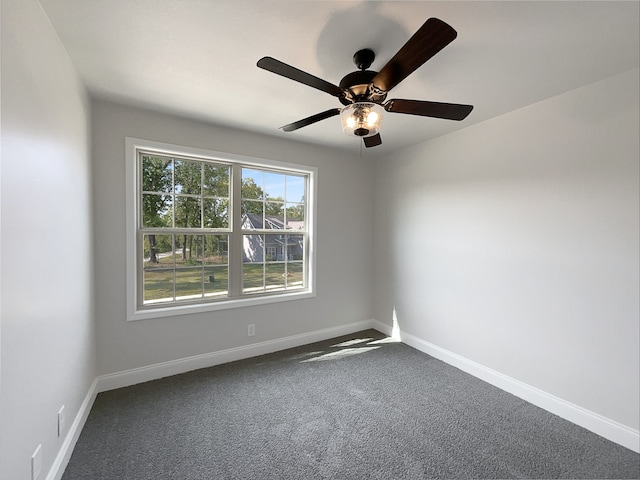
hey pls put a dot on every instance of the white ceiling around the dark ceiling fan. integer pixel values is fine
(197, 58)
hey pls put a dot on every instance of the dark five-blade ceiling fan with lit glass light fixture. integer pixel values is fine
(363, 92)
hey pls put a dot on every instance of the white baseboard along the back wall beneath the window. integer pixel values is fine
(183, 365)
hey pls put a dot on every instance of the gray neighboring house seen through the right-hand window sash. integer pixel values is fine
(277, 246)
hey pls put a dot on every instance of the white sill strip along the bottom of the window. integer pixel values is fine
(177, 310)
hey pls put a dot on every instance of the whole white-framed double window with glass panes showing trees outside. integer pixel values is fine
(206, 230)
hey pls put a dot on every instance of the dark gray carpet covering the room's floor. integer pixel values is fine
(339, 409)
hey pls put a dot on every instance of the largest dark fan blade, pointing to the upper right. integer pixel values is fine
(432, 37)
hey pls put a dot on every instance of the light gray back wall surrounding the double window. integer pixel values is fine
(344, 244)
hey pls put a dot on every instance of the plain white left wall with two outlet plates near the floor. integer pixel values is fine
(48, 346)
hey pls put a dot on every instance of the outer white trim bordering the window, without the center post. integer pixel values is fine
(132, 145)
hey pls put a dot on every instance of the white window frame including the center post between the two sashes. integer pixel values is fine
(236, 298)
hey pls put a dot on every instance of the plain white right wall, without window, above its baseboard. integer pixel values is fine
(514, 244)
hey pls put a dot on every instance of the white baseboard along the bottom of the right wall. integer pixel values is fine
(605, 427)
